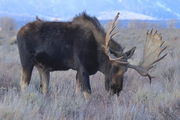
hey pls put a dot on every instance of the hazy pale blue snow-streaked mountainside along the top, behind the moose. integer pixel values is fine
(67, 8)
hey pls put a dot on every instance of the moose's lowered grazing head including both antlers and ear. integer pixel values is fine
(116, 68)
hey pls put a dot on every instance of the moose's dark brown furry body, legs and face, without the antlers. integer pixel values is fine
(76, 45)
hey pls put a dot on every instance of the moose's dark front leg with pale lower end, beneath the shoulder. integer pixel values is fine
(83, 83)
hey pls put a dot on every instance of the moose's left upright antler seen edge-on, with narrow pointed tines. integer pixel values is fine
(109, 36)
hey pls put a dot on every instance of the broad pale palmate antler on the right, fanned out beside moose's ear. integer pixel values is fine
(154, 46)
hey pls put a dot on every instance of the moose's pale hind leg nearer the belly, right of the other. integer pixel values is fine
(44, 80)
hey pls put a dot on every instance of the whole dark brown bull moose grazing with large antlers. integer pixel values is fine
(82, 45)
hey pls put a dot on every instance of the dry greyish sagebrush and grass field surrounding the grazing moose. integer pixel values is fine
(138, 100)
